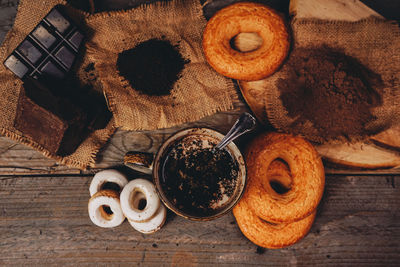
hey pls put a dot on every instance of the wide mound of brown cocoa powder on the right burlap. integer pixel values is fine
(333, 91)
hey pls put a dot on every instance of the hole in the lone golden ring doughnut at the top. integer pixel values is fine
(246, 42)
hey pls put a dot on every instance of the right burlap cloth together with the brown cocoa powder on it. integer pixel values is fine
(345, 76)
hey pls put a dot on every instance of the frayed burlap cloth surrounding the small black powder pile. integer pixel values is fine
(199, 92)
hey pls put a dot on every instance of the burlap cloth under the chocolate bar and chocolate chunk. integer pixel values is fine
(29, 14)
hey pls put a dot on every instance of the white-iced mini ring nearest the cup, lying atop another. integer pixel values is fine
(131, 192)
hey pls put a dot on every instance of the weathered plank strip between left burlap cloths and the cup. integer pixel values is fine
(17, 159)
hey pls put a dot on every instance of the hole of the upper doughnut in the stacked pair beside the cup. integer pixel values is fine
(279, 177)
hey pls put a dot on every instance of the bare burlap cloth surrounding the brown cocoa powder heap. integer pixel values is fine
(374, 42)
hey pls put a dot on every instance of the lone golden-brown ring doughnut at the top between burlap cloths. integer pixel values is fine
(246, 18)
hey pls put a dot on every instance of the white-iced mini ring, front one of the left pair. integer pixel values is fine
(97, 213)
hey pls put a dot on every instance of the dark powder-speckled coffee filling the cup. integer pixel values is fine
(196, 178)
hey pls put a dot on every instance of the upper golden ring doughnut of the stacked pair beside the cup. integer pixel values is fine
(307, 173)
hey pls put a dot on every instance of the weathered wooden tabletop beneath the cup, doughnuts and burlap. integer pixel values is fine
(43, 212)
